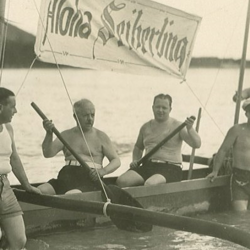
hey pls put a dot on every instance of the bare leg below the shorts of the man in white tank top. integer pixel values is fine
(15, 232)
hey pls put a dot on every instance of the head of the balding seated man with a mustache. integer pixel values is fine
(85, 112)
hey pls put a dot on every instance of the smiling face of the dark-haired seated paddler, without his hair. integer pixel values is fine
(161, 109)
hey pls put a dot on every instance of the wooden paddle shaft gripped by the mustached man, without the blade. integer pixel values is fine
(59, 136)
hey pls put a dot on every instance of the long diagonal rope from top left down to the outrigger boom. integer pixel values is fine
(70, 100)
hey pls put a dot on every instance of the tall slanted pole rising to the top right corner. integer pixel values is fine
(242, 66)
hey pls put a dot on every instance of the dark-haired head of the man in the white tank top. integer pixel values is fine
(7, 105)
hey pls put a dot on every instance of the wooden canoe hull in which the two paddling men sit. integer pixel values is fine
(181, 198)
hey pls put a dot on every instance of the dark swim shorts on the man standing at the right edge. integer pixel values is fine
(240, 184)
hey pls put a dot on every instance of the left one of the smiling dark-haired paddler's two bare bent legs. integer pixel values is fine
(130, 179)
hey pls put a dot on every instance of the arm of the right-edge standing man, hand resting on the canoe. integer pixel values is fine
(224, 148)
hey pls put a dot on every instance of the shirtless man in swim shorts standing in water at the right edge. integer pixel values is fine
(238, 138)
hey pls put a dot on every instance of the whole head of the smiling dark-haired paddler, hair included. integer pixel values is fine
(162, 106)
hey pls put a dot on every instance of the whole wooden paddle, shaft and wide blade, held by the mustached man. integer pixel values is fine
(116, 194)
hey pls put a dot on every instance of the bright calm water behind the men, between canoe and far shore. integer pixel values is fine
(123, 103)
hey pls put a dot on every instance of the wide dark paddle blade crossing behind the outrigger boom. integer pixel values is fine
(128, 222)
